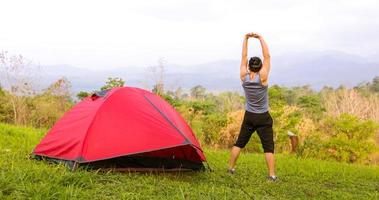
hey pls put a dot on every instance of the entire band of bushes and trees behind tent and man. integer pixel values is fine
(333, 124)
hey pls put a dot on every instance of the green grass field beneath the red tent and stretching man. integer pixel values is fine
(22, 178)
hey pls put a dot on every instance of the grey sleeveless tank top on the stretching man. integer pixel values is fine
(256, 94)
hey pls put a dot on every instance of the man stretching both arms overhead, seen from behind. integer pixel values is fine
(254, 77)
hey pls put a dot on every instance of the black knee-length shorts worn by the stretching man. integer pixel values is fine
(260, 122)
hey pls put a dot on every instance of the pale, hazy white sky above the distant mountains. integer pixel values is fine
(101, 34)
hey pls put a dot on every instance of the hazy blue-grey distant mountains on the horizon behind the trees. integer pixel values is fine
(306, 68)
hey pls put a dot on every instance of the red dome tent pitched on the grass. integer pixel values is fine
(125, 128)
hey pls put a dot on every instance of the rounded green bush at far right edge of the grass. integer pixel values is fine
(348, 139)
